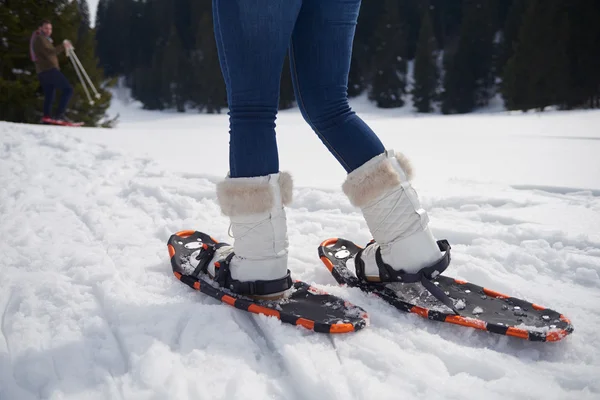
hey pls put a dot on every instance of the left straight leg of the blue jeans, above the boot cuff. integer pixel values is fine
(252, 39)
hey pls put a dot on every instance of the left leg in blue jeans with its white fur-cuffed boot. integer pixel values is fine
(252, 40)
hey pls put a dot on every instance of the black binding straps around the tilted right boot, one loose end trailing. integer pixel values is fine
(388, 275)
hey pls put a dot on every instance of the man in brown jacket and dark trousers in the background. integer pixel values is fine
(45, 56)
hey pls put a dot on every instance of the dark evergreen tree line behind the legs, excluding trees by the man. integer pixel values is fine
(534, 53)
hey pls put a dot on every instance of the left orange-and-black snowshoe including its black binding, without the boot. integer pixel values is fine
(302, 304)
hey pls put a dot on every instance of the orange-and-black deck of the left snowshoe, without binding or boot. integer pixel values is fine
(306, 306)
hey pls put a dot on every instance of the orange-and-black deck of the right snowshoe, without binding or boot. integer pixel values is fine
(479, 307)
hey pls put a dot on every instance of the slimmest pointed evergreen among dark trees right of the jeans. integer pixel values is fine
(425, 71)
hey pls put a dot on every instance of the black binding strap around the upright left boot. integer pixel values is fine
(253, 288)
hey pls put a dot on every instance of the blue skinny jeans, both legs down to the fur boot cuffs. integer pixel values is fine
(253, 37)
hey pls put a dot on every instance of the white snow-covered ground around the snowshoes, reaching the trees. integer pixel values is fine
(90, 310)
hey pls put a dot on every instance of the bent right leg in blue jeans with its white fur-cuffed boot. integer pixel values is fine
(378, 182)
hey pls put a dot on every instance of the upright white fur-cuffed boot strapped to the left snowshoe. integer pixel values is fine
(257, 261)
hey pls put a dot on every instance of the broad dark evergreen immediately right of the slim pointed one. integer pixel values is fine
(468, 82)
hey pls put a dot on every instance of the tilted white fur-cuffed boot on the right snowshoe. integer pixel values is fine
(381, 189)
